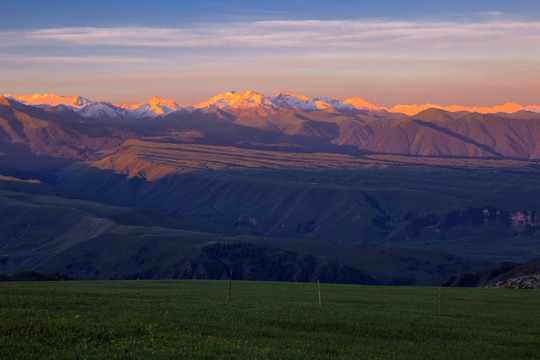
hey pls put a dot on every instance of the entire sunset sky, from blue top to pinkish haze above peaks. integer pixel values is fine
(388, 52)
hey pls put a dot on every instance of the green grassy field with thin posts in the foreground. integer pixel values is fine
(192, 319)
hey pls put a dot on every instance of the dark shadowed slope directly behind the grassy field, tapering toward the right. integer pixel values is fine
(90, 240)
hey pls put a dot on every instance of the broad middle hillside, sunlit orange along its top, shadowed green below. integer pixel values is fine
(331, 198)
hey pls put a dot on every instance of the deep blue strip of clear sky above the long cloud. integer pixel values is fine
(54, 13)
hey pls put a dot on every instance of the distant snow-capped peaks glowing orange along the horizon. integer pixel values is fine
(246, 103)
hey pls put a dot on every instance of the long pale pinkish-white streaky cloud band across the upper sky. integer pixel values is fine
(370, 34)
